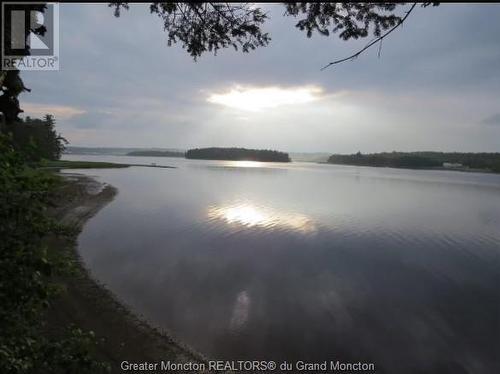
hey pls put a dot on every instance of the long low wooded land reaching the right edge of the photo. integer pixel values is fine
(489, 162)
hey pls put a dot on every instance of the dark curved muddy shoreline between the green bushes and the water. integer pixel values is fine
(89, 305)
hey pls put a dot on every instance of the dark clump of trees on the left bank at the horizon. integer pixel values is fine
(37, 138)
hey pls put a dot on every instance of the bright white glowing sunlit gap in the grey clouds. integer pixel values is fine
(259, 98)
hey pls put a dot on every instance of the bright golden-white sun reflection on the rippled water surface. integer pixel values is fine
(253, 216)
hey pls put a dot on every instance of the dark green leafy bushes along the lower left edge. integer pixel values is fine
(26, 272)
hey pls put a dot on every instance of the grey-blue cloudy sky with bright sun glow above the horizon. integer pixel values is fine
(436, 86)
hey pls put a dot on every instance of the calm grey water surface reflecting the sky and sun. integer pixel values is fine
(307, 261)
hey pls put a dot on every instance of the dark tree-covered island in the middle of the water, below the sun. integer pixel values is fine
(237, 154)
